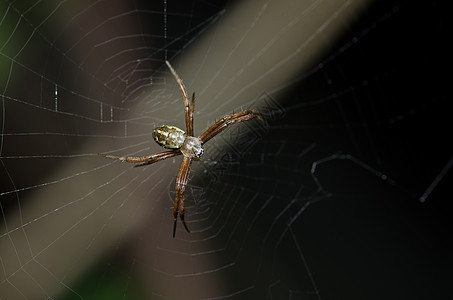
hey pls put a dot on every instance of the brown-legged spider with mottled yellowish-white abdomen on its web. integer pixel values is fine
(185, 143)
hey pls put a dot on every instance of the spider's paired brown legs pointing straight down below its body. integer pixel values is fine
(181, 182)
